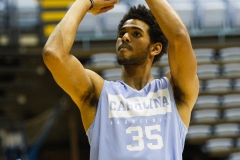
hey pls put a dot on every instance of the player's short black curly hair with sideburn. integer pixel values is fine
(142, 13)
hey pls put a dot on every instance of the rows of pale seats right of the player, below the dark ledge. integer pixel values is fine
(215, 118)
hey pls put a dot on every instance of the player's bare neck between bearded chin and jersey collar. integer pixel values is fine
(136, 77)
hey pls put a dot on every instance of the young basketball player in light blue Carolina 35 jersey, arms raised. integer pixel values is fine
(138, 117)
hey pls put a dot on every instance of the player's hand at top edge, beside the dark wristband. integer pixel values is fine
(101, 6)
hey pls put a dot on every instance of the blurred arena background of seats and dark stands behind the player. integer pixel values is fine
(38, 121)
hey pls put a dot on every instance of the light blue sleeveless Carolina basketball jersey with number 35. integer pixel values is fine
(137, 125)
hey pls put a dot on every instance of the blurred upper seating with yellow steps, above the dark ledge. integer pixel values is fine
(201, 17)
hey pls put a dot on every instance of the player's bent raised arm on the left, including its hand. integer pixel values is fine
(82, 85)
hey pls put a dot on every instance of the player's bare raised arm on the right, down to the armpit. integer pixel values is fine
(182, 61)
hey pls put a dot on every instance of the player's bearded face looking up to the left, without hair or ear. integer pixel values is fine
(133, 43)
